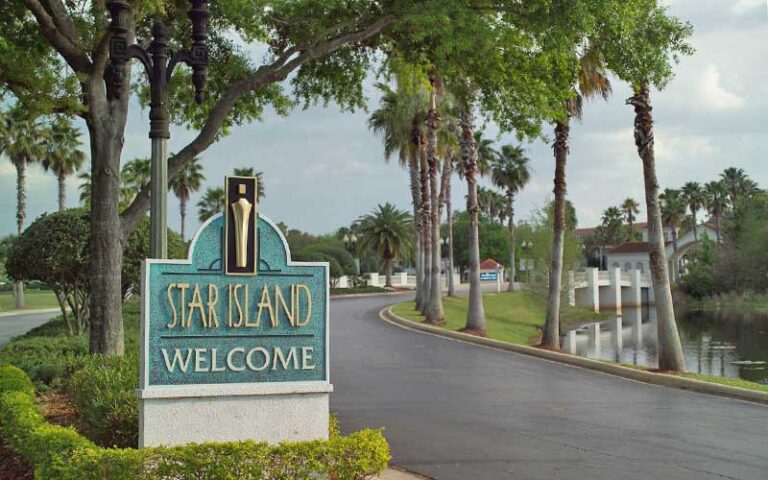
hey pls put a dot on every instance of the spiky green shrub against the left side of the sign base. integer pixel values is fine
(103, 392)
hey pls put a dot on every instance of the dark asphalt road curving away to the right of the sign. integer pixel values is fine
(457, 411)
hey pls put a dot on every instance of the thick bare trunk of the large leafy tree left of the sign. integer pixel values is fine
(106, 122)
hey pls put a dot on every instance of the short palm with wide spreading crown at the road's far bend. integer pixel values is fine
(388, 232)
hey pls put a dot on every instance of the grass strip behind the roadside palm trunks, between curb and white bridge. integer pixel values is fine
(512, 317)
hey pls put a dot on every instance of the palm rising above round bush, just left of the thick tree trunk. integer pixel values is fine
(63, 155)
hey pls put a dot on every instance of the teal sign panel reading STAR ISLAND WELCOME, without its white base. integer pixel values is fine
(203, 324)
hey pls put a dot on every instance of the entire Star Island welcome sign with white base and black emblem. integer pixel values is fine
(235, 338)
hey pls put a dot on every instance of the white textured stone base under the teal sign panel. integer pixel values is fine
(273, 412)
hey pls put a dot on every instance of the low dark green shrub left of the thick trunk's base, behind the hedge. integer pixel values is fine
(47, 360)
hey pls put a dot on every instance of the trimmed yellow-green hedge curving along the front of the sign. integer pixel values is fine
(61, 453)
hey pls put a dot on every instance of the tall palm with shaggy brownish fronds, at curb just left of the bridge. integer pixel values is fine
(592, 82)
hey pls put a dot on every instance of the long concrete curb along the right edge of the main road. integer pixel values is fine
(662, 379)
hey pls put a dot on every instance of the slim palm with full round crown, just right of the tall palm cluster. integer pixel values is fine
(511, 171)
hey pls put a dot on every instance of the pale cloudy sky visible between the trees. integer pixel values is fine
(323, 168)
